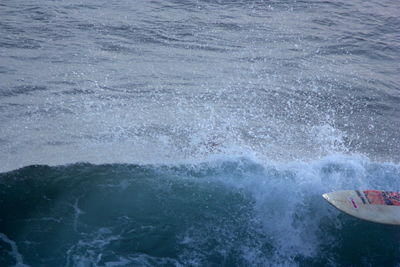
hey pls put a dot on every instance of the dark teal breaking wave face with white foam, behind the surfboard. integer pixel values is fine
(223, 212)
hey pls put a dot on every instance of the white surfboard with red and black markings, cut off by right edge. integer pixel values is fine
(370, 205)
